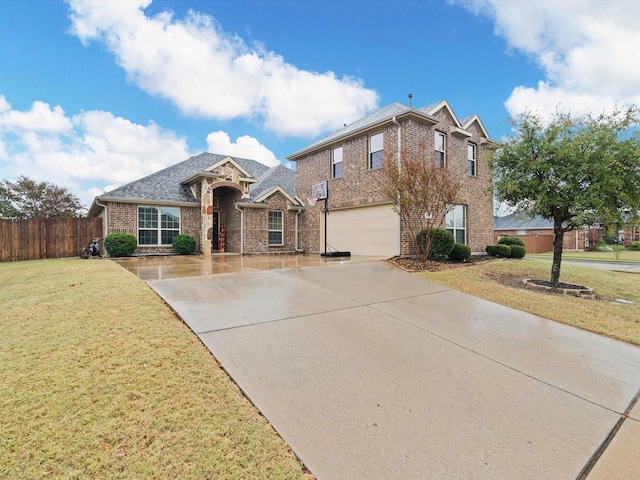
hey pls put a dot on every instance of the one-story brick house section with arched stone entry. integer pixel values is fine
(227, 204)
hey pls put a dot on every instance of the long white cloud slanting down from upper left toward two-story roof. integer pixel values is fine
(207, 72)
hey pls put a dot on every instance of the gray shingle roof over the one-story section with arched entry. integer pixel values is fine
(166, 186)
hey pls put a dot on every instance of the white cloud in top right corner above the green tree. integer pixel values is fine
(587, 51)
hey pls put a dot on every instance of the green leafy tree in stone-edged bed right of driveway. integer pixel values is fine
(573, 170)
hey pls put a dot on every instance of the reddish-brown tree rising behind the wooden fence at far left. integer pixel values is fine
(27, 198)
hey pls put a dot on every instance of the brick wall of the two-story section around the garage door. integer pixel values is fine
(360, 186)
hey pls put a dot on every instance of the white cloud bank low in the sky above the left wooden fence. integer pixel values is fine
(94, 147)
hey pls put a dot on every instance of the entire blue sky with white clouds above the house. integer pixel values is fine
(97, 94)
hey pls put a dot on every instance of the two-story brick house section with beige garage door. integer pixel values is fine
(361, 218)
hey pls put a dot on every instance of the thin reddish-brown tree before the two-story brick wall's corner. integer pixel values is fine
(423, 192)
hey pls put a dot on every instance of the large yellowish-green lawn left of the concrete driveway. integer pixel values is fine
(98, 379)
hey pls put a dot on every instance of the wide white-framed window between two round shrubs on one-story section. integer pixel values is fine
(158, 225)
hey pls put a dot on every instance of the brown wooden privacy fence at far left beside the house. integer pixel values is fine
(34, 238)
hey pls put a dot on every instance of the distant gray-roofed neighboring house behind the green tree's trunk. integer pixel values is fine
(526, 227)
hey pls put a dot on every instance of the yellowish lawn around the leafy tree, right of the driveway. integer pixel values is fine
(495, 280)
